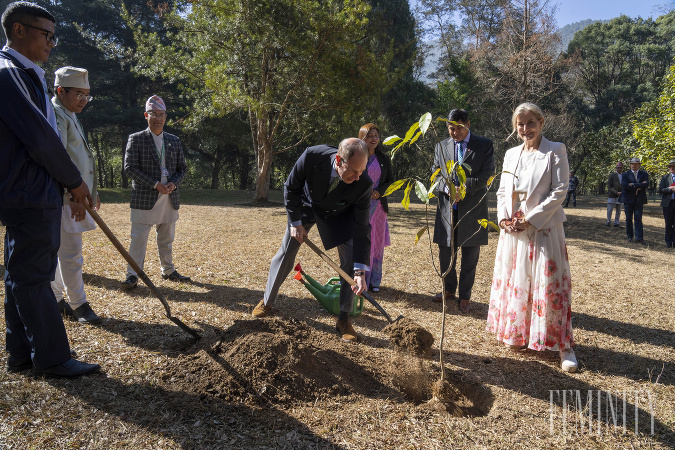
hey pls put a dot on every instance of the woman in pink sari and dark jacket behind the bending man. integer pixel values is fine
(380, 172)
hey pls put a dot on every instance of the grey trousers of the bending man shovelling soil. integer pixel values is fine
(284, 260)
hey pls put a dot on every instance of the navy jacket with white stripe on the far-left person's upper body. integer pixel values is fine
(34, 165)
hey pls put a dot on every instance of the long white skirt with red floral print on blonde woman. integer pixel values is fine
(531, 290)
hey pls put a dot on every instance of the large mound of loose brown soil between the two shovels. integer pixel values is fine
(279, 361)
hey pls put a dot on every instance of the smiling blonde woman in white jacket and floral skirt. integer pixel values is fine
(531, 287)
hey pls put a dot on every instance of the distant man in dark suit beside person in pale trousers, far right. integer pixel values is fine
(634, 196)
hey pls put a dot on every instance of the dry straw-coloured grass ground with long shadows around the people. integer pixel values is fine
(624, 327)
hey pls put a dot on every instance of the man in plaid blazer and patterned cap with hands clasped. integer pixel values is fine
(154, 161)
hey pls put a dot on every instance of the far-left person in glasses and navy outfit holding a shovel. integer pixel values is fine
(34, 168)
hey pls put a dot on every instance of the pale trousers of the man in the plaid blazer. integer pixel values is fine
(139, 242)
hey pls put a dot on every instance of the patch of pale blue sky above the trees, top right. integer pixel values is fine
(570, 11)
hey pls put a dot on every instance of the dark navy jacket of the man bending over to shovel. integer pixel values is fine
(340, 215)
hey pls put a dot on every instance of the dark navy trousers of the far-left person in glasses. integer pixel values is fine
(34, 325)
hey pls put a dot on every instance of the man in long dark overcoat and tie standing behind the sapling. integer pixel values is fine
(478, 153)
